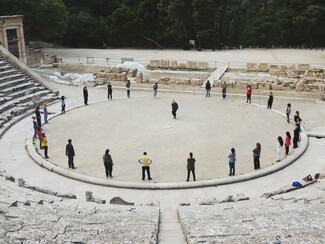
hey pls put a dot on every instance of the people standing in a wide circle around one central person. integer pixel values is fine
(144, 159)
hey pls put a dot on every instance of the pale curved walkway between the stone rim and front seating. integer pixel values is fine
(14, 159)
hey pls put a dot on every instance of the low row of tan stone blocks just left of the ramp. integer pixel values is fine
(177, 65)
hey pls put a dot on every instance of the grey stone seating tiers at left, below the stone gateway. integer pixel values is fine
(19, 90)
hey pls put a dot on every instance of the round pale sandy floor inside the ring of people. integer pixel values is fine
(208, 127)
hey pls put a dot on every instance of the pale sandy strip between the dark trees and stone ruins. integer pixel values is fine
(274, 56)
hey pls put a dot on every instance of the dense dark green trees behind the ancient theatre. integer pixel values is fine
(172, 23)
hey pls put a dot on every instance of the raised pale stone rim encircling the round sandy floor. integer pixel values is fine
(37, 158)
